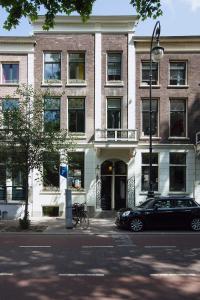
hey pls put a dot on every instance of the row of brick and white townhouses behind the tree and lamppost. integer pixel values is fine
(99, 75)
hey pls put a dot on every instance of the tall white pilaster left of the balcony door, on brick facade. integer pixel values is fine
(98, 75)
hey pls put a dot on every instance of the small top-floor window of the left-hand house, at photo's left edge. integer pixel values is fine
(10, 73)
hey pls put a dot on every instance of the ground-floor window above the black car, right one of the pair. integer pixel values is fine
(177, 172)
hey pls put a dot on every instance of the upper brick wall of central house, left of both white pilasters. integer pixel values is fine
(66, 43)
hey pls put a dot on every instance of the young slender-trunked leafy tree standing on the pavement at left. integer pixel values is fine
(25, 139)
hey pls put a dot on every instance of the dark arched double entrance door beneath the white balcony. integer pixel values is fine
(113, 185)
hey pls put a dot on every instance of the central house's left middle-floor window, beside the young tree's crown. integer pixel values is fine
(52, 114)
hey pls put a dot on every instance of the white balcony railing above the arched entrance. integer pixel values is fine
(116, 135)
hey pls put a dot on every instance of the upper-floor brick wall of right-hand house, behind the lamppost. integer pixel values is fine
(164, 93)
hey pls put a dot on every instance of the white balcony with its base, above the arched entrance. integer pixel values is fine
(121, 138)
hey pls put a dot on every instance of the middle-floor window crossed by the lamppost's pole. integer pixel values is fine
(145, 117)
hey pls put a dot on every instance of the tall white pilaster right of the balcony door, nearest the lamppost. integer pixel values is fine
(131, 83)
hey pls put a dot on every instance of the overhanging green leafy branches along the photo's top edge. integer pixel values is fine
(30, 9)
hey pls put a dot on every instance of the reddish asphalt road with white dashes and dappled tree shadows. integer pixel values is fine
(124, 265)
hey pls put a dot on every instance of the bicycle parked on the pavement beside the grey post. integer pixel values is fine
(79, 215)
